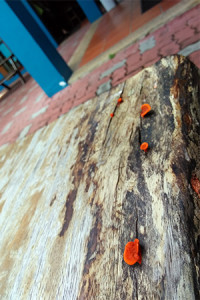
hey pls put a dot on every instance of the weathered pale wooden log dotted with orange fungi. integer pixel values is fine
(74, 193)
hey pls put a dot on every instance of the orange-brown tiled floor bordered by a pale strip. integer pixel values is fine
(117, 24)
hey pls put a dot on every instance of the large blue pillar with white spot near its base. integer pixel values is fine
(31, 46)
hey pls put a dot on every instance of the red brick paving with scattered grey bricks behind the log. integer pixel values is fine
(170, 39)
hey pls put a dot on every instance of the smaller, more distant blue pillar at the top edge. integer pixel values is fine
(90, 9)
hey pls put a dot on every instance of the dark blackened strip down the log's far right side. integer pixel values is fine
(183, 169)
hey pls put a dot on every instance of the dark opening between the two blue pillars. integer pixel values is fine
(61, 18)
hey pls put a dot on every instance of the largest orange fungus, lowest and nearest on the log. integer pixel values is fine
(132, 253)
